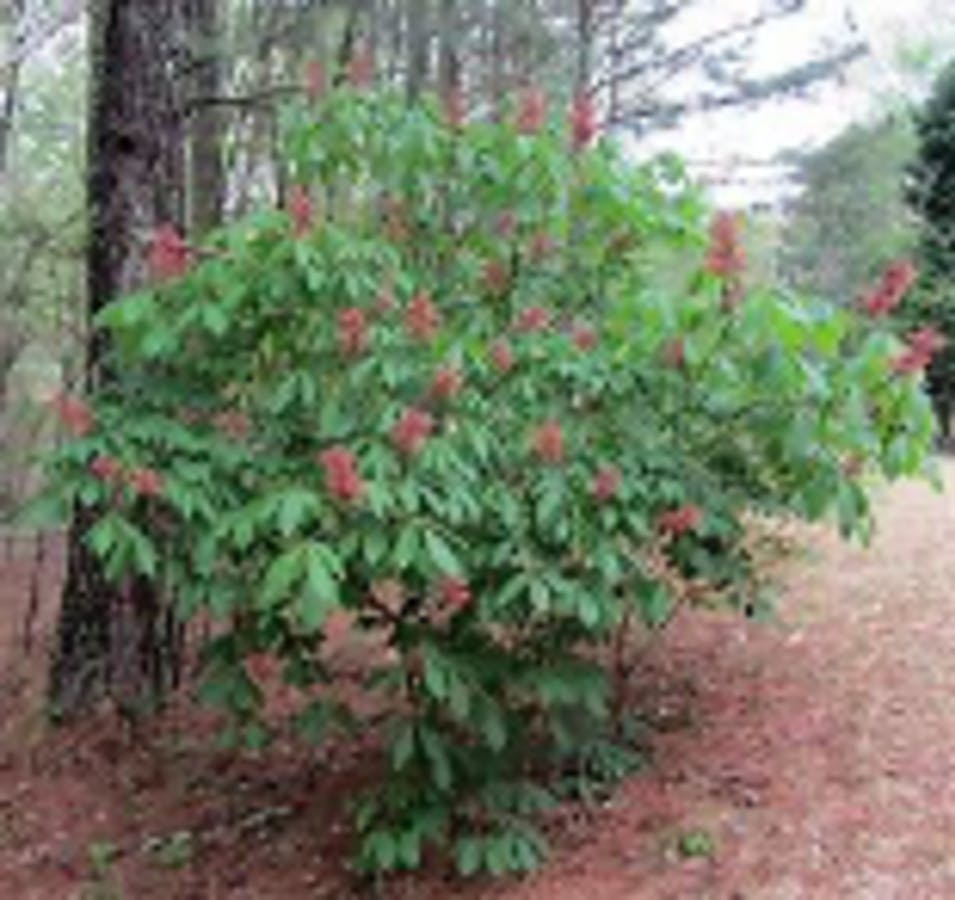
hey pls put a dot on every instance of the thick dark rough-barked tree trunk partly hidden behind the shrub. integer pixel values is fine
(112, 641)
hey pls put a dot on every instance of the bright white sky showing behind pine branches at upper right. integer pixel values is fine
(722, 146)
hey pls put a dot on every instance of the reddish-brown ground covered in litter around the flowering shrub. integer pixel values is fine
(817, 753)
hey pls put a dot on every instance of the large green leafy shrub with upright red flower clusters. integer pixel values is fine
(438, 397)
